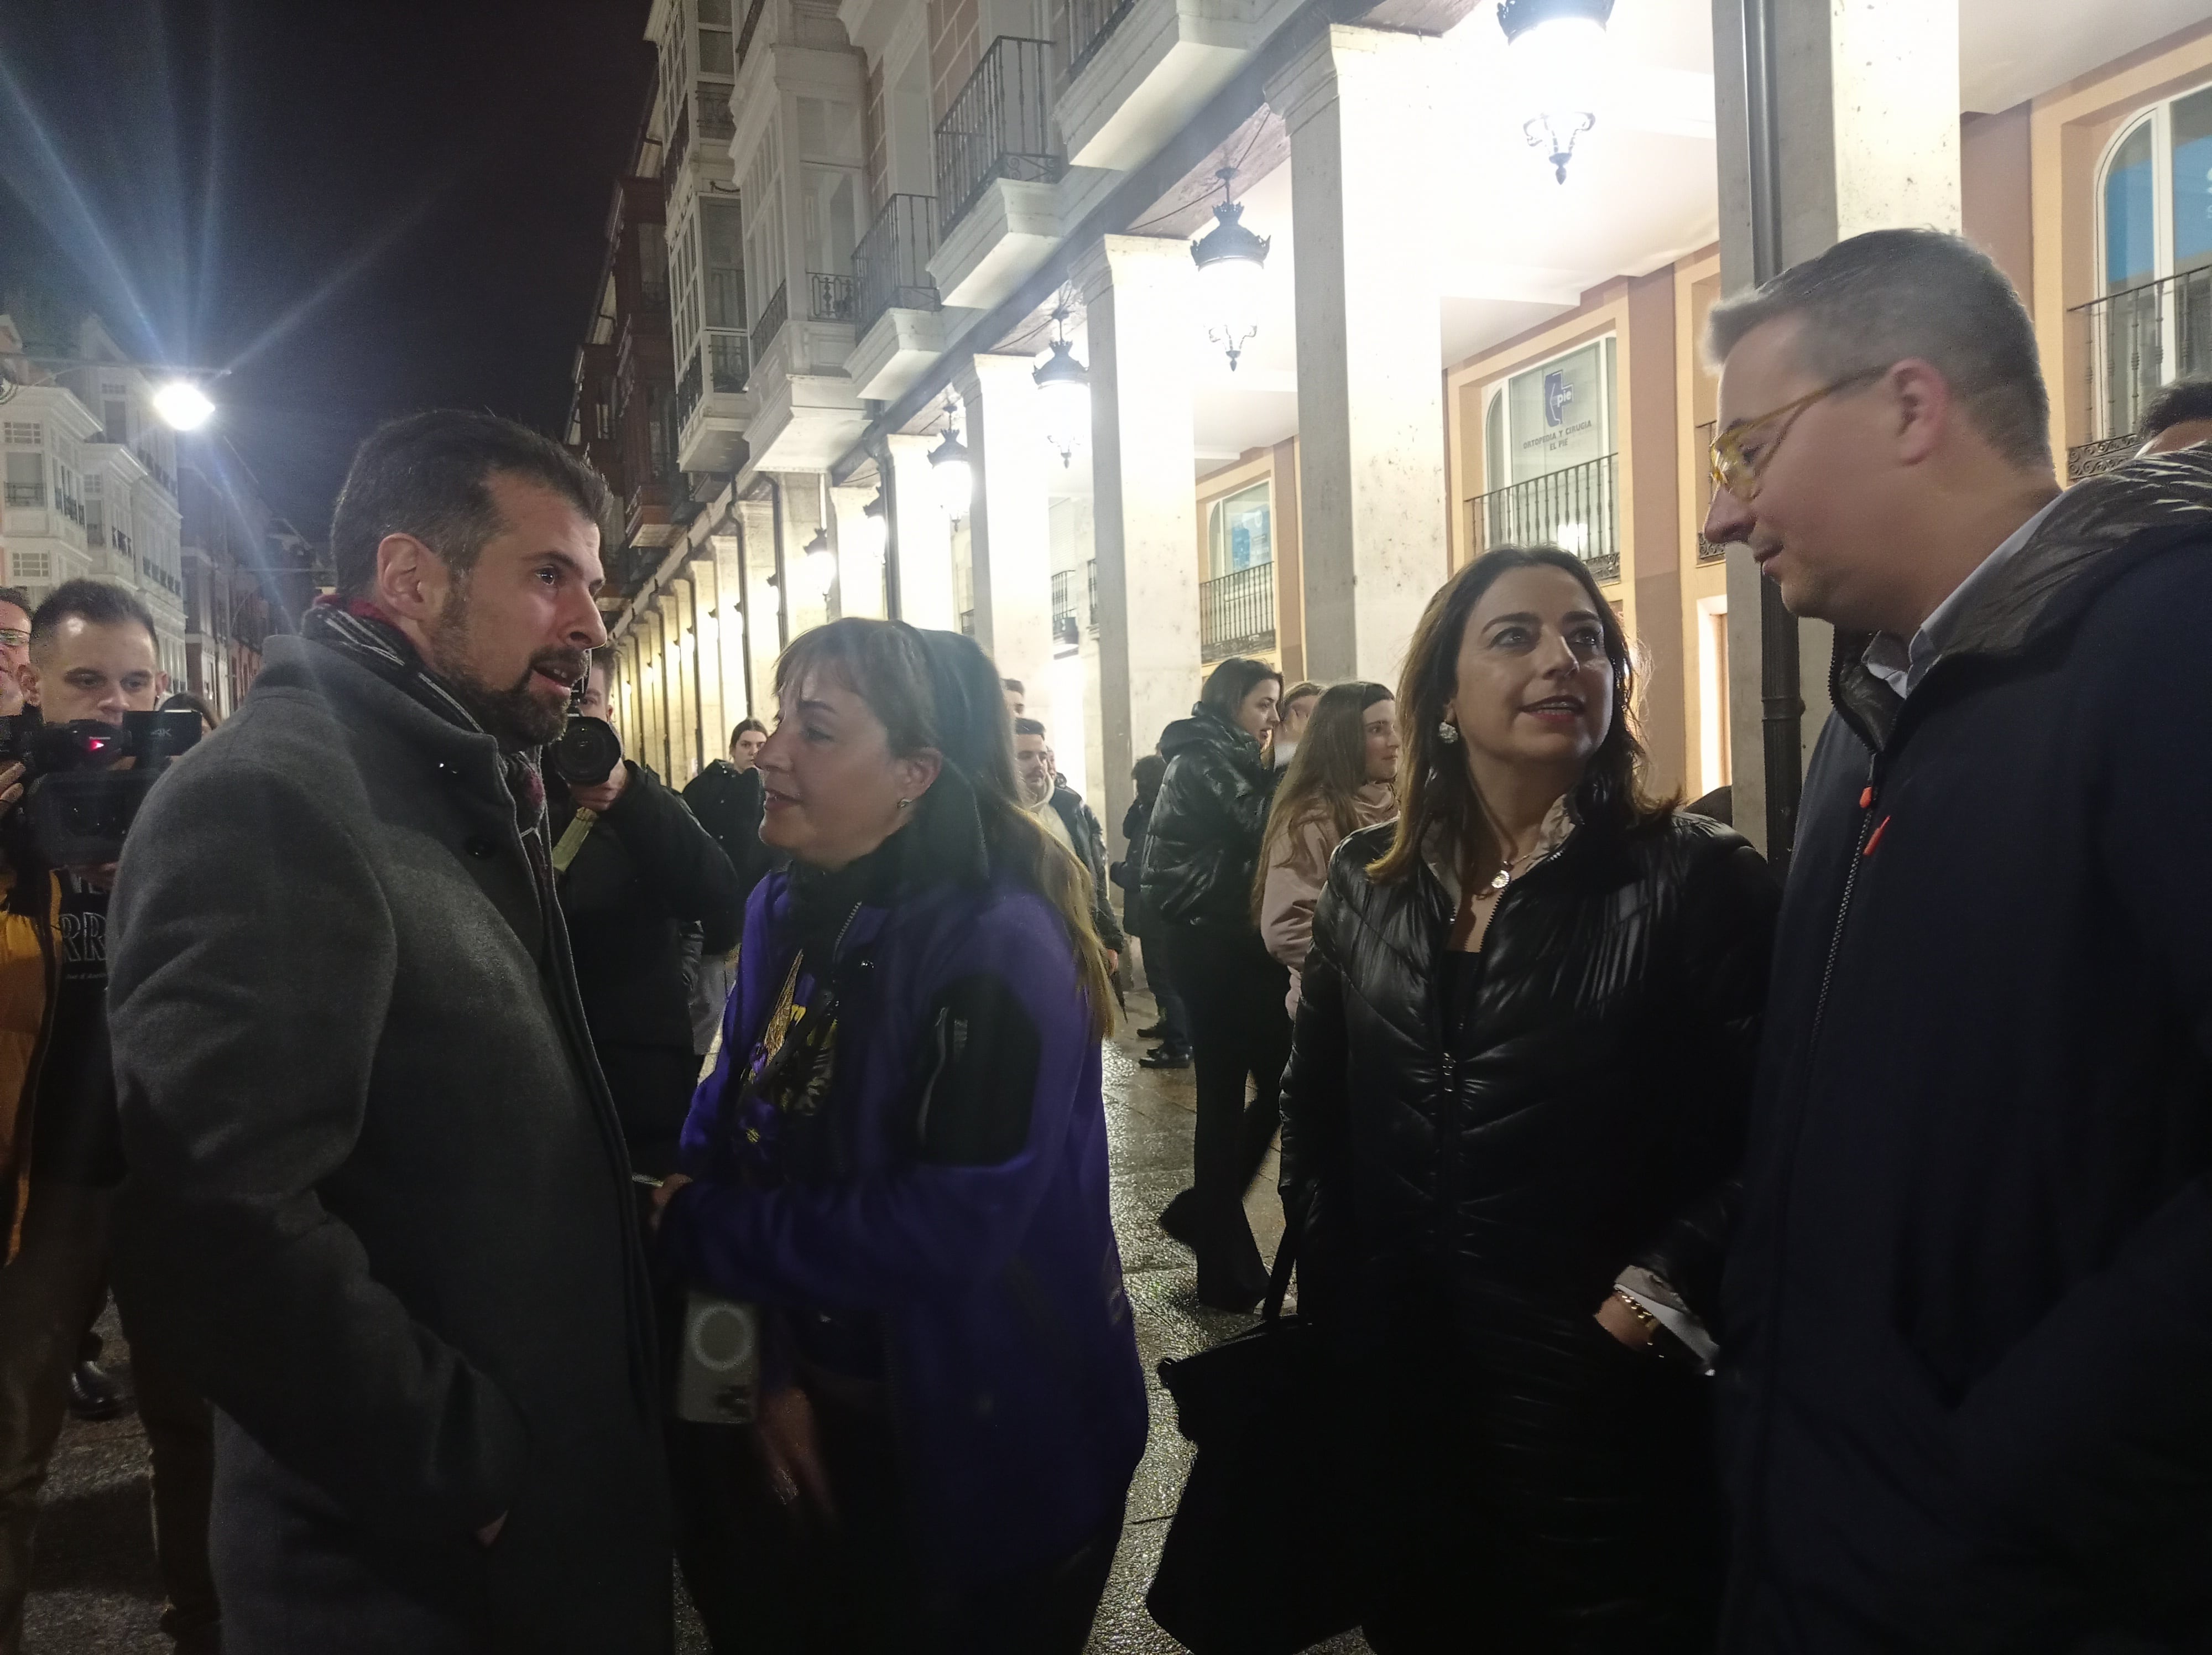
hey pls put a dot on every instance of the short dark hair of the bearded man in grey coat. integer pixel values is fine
(428, 477)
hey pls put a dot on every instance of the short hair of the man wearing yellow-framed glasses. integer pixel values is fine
(1888, 295)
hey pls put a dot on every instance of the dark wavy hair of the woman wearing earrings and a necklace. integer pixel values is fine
(1434, 784)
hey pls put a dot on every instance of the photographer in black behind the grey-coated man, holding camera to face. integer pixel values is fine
(634, 868)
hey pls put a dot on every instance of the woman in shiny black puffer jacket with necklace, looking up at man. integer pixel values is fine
(1512, 1132)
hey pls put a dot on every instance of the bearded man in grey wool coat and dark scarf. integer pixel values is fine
(377, 1198)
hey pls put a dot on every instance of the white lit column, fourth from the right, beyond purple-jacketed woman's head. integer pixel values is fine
(1010, 530)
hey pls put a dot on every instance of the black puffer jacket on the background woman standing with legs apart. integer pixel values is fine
(1207, 824)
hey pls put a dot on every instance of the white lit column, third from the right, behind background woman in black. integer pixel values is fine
(1145, 506)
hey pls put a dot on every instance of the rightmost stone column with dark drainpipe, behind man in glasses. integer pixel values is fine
(1868, 138)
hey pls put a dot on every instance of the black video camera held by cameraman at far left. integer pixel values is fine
(81, 793)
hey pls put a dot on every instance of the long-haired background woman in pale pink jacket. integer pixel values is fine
(1337, 784)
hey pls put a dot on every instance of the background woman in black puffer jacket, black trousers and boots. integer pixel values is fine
(1198, 888)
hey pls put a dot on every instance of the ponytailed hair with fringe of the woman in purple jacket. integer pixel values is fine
(939, 691)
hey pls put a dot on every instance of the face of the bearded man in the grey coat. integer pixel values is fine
(514, 634)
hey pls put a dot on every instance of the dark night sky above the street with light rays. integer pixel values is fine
(366, 207)
